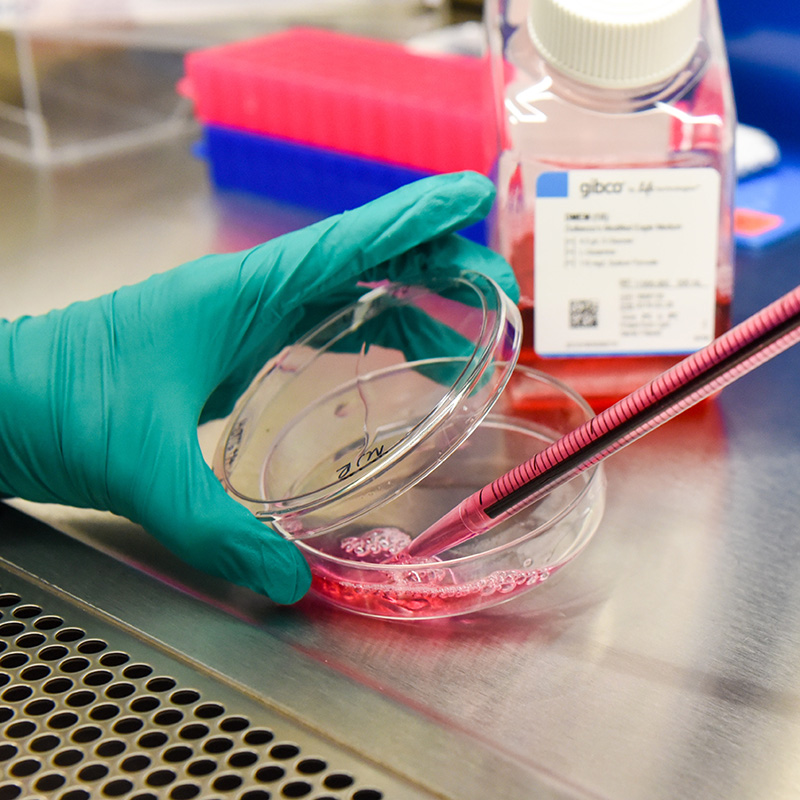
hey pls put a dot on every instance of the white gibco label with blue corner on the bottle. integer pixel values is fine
(626, 261)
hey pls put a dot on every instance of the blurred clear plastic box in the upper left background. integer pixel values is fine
(74, 95)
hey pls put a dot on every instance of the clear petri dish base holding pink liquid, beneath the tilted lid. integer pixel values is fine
(349, 565)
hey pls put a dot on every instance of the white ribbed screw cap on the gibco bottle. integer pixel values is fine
(616, 44)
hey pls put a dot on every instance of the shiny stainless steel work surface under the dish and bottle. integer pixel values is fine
(663, 663)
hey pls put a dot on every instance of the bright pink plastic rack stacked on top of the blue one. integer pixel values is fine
(355, 95)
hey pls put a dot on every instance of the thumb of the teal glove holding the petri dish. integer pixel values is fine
(190, 513)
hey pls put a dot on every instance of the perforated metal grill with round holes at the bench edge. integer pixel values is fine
(82, 719)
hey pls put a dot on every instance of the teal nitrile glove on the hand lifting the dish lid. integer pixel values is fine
(100, 401)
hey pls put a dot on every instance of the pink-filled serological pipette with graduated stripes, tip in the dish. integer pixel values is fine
(743, 348)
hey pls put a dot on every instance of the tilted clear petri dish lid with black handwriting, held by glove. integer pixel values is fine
(370, 401)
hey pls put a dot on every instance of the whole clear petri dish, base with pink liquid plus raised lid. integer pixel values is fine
(383, 418)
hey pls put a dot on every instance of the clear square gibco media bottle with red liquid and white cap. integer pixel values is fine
(615, 182)
